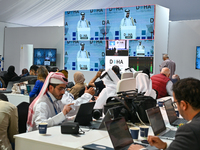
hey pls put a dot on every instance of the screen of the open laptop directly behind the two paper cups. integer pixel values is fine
(156, 120)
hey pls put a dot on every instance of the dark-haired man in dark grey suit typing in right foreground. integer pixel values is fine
(186, 93)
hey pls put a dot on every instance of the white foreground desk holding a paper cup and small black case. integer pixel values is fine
(54, 140)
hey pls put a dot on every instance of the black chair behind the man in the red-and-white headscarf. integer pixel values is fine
(22, 116)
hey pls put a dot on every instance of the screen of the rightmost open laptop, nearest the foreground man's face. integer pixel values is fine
(170, 111)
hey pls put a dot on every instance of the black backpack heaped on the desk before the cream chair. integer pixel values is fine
(133, 105)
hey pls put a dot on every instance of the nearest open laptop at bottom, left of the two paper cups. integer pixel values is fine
(120, 135)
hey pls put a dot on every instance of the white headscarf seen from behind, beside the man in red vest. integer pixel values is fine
(144, 85)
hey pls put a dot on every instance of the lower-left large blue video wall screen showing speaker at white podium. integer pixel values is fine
(85, 55)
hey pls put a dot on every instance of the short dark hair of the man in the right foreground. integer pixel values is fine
(188, 89)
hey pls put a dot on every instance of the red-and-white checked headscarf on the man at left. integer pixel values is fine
(54, 78)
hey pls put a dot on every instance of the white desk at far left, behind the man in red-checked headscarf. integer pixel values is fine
(16, 99)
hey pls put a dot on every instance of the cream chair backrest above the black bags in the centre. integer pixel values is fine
(126, 84)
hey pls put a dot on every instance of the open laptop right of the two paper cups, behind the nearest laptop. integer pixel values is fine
(157, 123)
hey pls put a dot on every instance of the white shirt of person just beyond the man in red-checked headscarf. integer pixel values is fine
(68, 98)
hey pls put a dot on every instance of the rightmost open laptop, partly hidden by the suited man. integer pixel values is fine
(171, 113)
